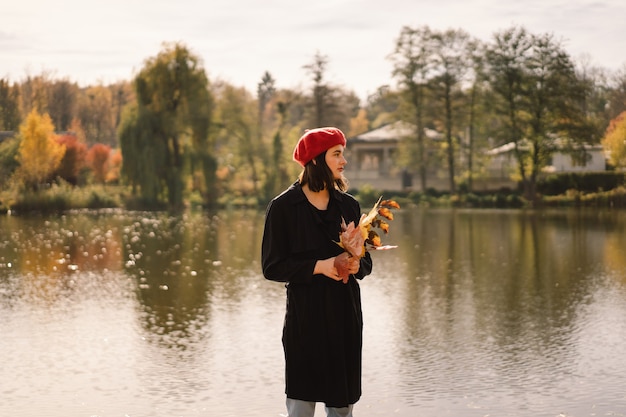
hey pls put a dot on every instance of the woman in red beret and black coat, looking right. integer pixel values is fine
(322, 334)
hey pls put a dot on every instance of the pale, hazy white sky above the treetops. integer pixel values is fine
(94, 41)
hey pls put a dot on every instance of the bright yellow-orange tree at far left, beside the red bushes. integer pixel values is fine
(39, 154)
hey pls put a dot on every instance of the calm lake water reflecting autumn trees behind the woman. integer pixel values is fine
(477, 313)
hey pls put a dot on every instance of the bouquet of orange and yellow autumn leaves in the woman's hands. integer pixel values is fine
(357, 239)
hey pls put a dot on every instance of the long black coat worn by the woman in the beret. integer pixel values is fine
(322, 334)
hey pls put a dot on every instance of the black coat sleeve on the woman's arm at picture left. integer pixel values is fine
(277, 261)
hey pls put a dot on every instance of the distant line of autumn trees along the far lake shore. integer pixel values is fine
(172, 136)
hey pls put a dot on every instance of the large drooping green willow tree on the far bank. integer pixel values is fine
(169, 122)
